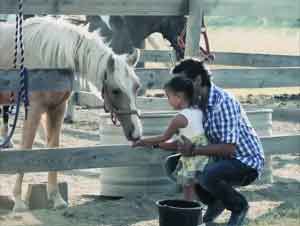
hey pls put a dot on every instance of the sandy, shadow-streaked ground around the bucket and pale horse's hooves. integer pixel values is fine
(268, 203)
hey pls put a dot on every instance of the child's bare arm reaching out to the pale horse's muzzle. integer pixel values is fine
(179, 121)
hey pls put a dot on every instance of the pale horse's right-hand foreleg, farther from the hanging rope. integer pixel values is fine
(53, 127)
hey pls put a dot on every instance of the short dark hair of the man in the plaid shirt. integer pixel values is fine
(192, 68)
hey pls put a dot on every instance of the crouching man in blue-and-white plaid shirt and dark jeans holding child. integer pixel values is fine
(233, 144)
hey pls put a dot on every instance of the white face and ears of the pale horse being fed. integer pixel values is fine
(120, 86)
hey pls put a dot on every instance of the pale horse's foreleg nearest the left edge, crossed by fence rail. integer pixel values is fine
(28, 135)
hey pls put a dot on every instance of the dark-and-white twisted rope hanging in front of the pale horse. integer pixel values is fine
(22, 95)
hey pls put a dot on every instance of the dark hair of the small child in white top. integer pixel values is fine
(181, 84)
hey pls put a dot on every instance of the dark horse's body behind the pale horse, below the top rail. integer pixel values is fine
(129, 32)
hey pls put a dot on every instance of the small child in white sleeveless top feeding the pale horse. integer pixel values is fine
(187, 122)
